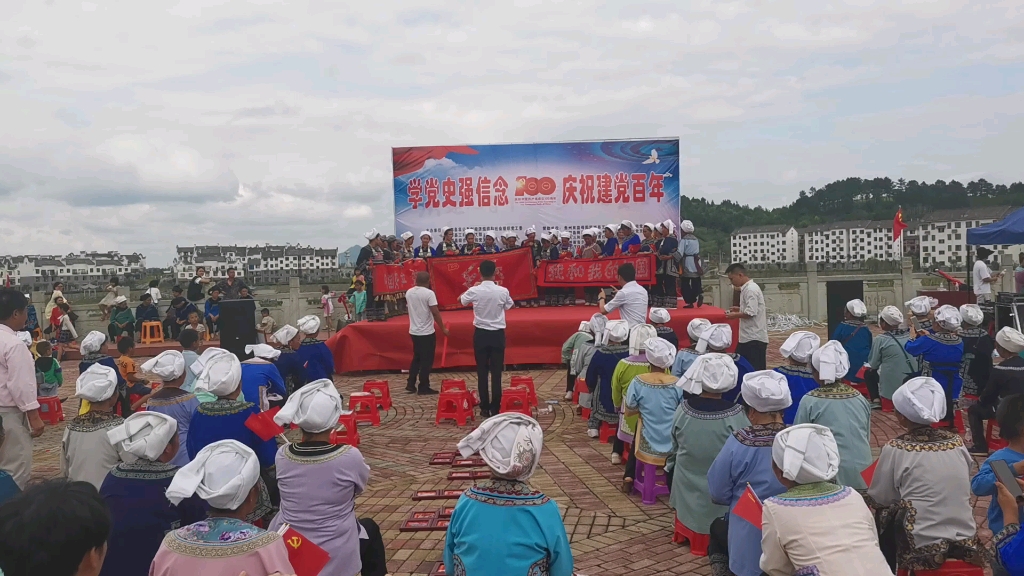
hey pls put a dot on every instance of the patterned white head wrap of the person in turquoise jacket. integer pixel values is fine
(509, 443)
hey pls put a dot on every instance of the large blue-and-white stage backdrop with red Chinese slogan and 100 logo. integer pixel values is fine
(565, 186)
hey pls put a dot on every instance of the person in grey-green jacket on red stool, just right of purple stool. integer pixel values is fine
(702, 426)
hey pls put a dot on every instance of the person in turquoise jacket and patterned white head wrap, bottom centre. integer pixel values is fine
(479, 540)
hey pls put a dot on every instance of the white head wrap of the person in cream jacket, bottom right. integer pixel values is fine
(806, 454)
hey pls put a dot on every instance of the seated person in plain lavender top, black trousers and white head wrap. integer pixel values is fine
(320, 481)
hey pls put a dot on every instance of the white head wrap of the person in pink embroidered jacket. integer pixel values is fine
(223, 474)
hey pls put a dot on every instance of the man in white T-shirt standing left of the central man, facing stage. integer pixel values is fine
(423, 314)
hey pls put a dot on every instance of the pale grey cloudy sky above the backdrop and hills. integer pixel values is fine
(138, 126)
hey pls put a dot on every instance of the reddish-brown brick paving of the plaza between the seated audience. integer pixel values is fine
(611, 533)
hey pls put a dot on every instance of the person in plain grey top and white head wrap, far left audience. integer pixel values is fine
(87, 455)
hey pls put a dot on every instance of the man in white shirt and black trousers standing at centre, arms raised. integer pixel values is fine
(490, 303)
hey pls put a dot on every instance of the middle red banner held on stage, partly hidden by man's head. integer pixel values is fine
(451, 277)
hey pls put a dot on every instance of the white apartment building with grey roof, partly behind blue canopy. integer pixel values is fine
(943, 235)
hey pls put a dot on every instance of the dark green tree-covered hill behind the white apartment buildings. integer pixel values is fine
(850, 199)
